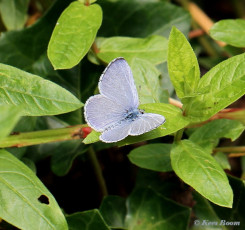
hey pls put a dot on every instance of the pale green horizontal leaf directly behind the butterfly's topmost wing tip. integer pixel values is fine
(152, 49)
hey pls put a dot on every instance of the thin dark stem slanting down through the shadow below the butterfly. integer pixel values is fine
(97, 171)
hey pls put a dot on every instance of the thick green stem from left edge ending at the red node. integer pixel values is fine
(42, 137)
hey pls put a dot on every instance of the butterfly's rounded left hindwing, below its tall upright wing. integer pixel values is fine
(101, 112)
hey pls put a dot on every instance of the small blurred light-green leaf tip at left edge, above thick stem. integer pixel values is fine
(9, 116)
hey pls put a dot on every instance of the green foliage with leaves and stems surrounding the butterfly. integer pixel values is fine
(49, 69)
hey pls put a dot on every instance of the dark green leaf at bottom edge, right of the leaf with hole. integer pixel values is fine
(89, 220)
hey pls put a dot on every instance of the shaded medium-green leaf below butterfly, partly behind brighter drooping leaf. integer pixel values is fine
(152, 156)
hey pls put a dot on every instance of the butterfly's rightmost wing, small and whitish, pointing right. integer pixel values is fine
(145, 123)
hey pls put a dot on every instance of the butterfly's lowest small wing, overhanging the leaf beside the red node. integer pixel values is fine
(116, 133)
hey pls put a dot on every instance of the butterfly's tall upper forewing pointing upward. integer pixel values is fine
(117, 83)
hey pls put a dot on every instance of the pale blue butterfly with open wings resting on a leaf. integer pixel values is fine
(114, 111)
